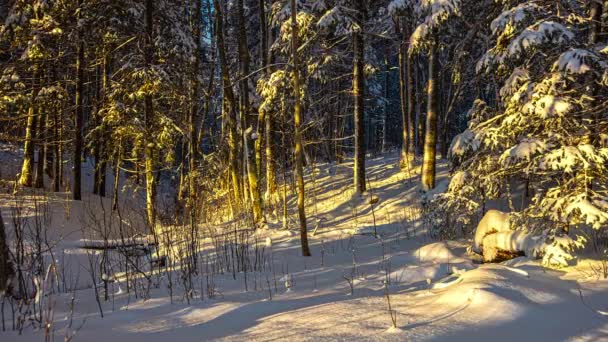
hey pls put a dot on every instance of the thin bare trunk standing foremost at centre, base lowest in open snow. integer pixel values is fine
(298, 134)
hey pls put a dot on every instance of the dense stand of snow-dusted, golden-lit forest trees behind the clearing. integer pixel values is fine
(214, 106)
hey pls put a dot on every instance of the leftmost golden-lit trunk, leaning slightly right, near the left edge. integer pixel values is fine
(27, 169)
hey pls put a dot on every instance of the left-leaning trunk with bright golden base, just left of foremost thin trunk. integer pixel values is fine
(248, 139)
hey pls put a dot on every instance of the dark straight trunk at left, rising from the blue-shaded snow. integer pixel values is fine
(79, 114)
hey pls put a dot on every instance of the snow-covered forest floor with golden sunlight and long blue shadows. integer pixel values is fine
(436, 290)
